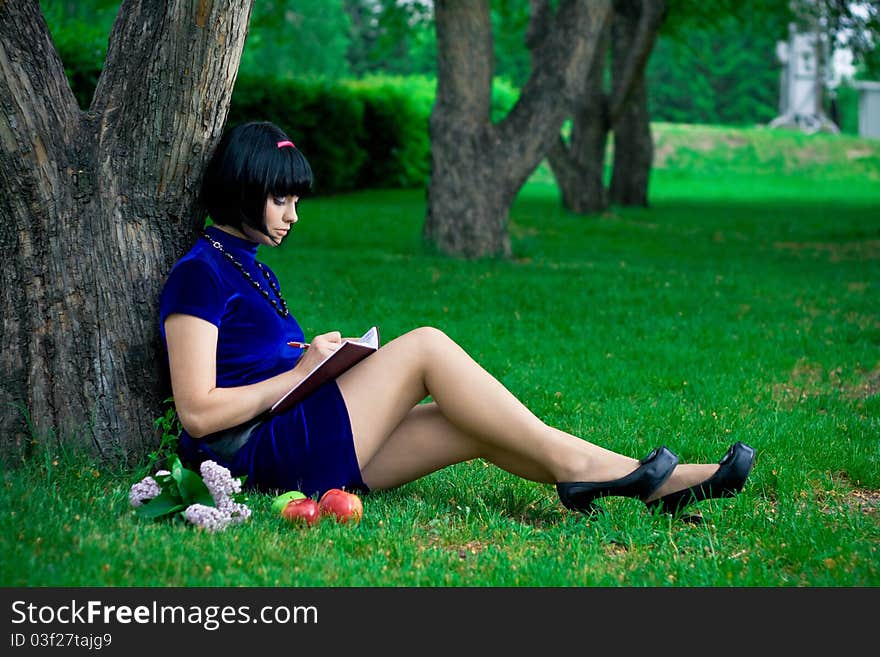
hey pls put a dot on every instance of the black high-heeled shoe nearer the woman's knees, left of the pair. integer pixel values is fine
(655, 468)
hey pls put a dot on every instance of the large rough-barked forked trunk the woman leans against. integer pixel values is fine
(97, 206)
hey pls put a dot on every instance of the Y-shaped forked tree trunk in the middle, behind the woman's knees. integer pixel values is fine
(477, 168)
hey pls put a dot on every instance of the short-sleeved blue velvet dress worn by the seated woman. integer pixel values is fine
(309, 447)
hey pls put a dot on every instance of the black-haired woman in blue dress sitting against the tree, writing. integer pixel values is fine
(226, 327)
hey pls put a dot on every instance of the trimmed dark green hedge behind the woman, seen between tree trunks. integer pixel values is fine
(357, 134)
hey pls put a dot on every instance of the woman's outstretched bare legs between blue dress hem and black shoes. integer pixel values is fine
(479, 418)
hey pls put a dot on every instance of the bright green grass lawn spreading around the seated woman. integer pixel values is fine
(742, 305)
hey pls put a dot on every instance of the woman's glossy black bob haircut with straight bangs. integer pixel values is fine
(247, 167)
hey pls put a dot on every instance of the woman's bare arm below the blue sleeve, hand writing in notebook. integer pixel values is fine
(202, 407)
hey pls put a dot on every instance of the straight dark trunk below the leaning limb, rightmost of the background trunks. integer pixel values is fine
(633, 152)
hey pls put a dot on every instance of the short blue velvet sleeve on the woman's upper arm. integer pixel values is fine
(193, 287)
